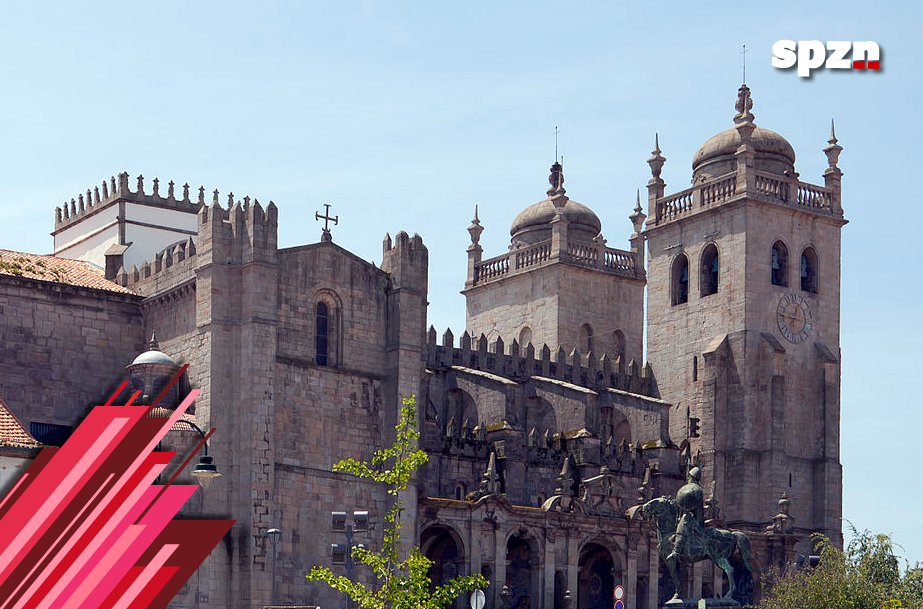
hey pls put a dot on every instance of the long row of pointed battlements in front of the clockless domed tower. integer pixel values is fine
(518, 363)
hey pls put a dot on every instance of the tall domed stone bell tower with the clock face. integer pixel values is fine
(743, 322)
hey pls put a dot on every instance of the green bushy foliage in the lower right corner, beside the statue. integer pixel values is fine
(866, 576)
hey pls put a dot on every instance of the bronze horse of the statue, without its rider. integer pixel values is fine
(715, 544)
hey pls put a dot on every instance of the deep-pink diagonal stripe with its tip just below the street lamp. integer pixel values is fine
(154, 522)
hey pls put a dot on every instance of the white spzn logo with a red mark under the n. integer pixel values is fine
(812, 54)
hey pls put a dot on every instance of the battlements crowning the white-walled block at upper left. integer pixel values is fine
(115, 190)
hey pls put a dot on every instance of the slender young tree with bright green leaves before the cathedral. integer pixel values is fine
(402, 584)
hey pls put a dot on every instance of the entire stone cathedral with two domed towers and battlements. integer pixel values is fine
(543, 421)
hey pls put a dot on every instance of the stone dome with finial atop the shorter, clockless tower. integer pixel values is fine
(533, 224)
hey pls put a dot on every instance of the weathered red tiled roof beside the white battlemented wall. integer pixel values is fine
(57, 270)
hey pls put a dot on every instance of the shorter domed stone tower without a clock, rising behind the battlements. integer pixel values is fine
(559, 285)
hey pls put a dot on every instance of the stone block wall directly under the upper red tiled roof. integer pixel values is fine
(64, 348)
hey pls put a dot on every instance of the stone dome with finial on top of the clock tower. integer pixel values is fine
(716, 156)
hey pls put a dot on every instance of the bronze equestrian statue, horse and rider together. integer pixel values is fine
(682, 535)
